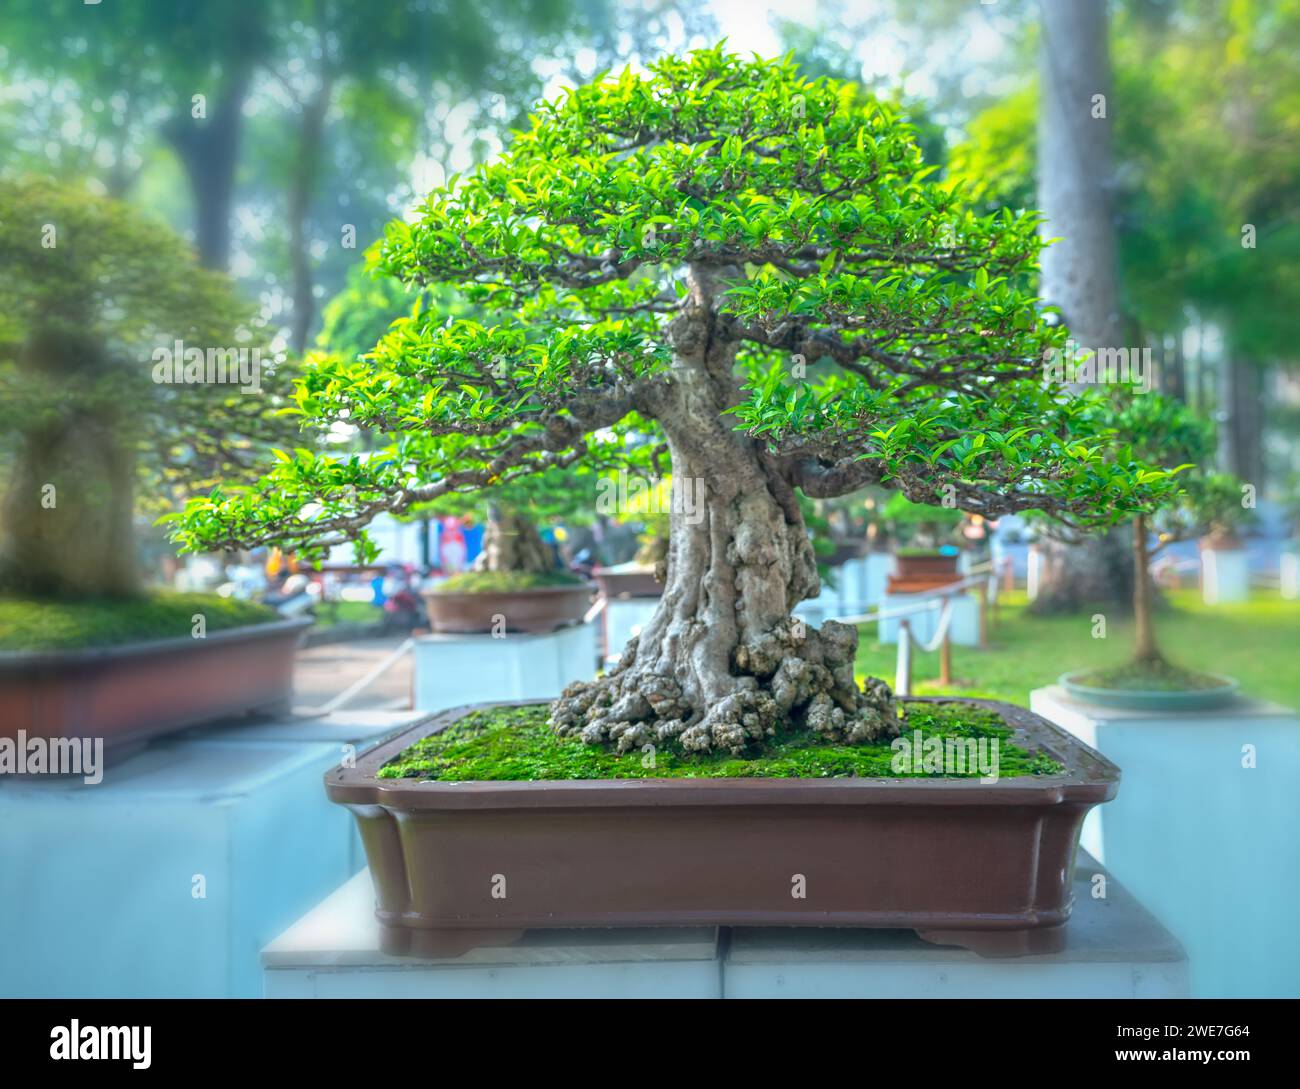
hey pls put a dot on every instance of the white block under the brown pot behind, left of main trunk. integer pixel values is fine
(452, 671)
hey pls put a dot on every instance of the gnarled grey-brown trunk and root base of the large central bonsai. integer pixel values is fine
(722, 663)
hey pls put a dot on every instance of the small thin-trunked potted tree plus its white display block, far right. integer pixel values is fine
(1206, 770)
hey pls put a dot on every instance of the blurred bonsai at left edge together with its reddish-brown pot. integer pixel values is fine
(125, 371)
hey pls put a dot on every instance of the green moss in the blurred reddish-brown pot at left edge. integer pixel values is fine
(51, 626)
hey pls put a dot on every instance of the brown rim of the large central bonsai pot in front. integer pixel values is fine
(1089, 778)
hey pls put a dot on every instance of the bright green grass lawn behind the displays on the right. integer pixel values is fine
(1258, 643)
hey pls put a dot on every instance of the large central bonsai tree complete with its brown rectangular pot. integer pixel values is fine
(666, 246)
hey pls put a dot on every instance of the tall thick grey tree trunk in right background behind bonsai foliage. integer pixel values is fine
(1081, 271)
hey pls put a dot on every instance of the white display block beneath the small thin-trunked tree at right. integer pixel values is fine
(1203, 839)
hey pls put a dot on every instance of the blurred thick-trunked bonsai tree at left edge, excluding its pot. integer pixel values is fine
(90, 290)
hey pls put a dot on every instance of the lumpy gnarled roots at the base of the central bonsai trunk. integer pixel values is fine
(791, 678)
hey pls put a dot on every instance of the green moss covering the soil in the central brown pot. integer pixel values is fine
(518, 744)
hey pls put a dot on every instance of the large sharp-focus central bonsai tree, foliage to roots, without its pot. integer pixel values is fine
(678, 246)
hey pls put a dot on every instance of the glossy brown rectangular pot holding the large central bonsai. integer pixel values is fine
(462, 865)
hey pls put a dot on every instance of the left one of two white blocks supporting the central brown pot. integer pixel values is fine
(333, 952)
